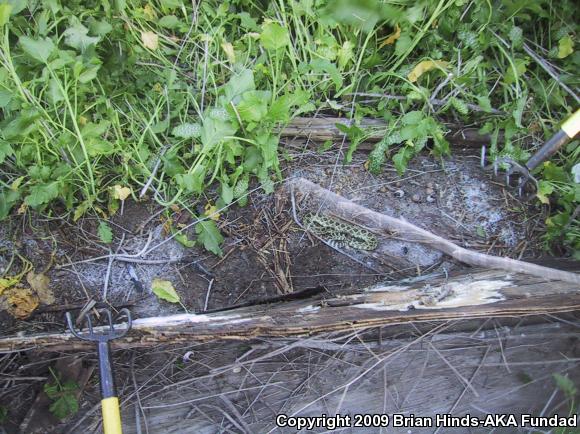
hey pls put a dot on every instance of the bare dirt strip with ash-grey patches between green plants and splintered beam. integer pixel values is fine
(265, 251)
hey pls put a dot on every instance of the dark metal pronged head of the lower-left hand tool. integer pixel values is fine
(105, 332)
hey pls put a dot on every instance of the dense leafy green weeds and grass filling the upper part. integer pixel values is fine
(94, 93)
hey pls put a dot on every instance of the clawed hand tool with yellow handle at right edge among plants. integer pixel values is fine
(567, 132)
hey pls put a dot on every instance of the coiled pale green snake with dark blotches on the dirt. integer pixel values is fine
(339, 232)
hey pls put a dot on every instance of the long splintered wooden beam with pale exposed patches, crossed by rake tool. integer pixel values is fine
(479, 294)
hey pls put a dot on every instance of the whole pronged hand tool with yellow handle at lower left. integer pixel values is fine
(102, 336)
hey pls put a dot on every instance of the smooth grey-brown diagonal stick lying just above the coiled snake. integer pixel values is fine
(392, 226)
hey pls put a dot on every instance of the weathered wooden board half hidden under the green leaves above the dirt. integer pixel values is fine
(320, 129)
